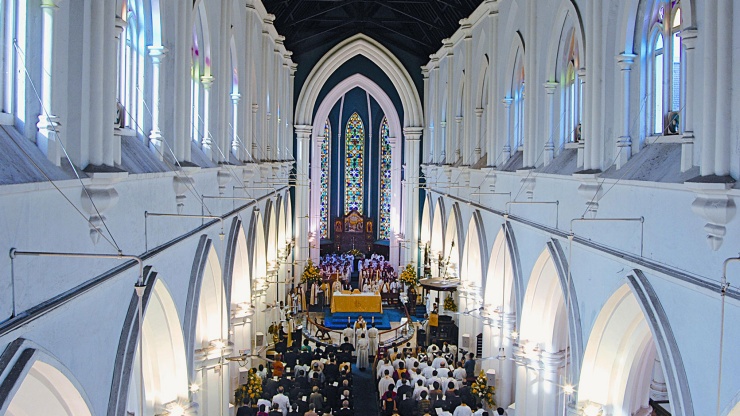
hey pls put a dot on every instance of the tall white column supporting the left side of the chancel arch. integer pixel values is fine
(302, 202)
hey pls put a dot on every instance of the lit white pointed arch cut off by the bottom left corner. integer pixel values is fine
(39, 385)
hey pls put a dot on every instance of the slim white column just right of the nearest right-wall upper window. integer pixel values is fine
(688, 37)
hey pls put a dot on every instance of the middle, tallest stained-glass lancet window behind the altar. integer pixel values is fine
(354, 139)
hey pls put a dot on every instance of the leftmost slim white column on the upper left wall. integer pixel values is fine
(47, 138)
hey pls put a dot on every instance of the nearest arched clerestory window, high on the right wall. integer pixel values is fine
(666, 68)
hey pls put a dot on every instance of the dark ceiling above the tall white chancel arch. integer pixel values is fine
(416, 27)
